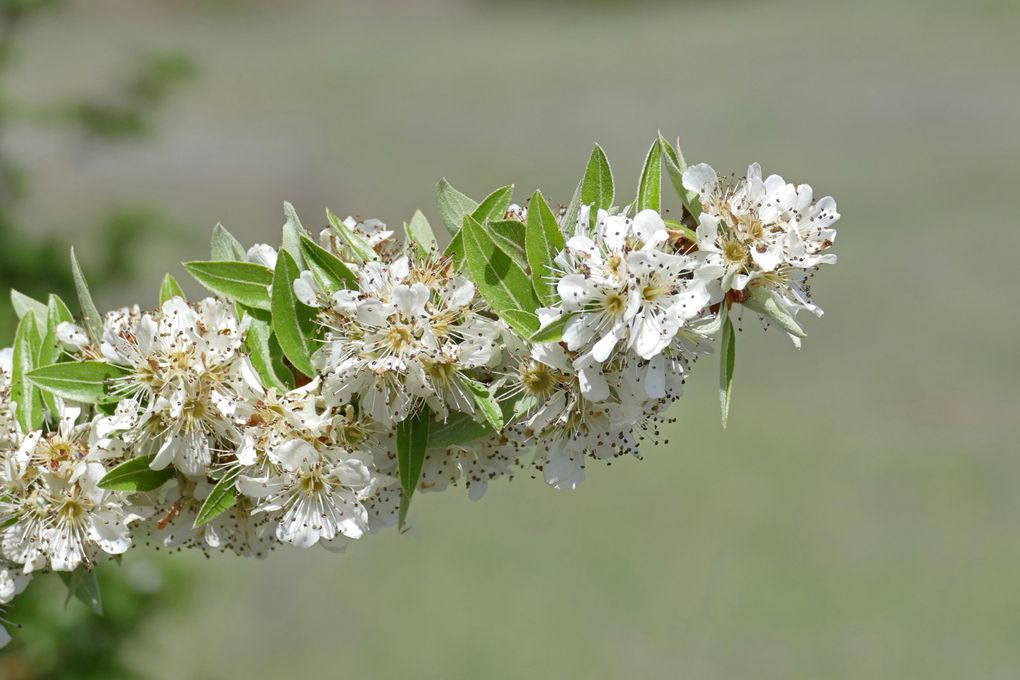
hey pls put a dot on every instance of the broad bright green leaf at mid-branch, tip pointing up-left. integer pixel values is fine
(501, 281)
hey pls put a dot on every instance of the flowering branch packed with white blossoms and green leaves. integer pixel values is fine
(332, 379)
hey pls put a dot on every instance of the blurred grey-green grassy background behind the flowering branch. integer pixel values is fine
(858, 519)
